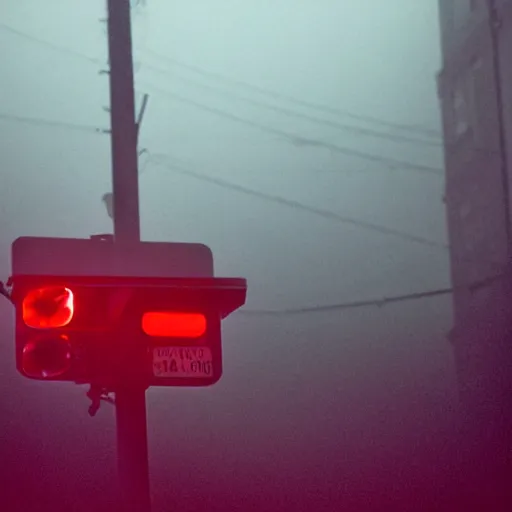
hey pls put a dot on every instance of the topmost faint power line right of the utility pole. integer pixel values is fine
(308, 104)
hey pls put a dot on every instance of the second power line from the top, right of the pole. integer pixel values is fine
(294, 113)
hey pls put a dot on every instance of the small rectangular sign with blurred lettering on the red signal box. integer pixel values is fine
(175, 362)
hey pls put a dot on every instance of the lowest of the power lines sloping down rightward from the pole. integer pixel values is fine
(326, 214)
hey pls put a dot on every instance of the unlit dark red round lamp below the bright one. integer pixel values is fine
(46, 358)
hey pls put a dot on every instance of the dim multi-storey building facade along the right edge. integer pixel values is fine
(475, 94)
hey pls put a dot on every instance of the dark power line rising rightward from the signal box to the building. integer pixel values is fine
(384, 301)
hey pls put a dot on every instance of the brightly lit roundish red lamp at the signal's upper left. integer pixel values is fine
(48, 307)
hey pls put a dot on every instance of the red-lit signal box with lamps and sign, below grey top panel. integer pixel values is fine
(105, 330)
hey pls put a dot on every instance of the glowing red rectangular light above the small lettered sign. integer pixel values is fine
(174, 324)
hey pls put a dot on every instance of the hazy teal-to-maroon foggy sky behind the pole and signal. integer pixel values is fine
(347, 409)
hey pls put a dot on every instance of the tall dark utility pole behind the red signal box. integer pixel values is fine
(132, 444)
